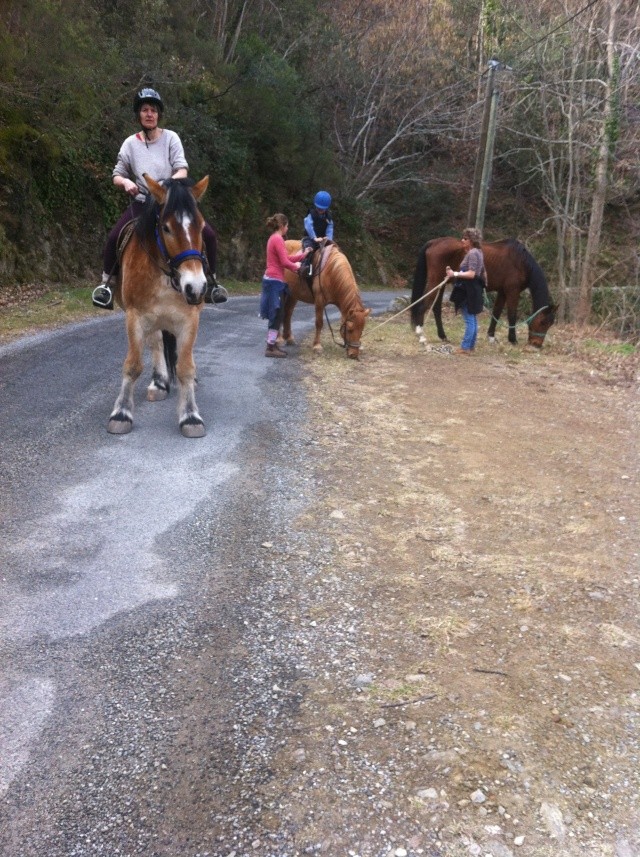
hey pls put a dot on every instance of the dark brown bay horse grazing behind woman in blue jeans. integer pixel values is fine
(510, 269)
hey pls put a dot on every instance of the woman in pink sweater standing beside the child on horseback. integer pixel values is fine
(273, 284)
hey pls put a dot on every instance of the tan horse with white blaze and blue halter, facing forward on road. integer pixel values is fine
(161, 287)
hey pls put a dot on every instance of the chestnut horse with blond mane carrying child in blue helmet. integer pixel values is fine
(333, 283)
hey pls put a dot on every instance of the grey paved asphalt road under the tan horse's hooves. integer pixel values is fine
(129, 576)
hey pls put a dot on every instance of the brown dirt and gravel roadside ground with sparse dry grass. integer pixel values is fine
(476, 688)
